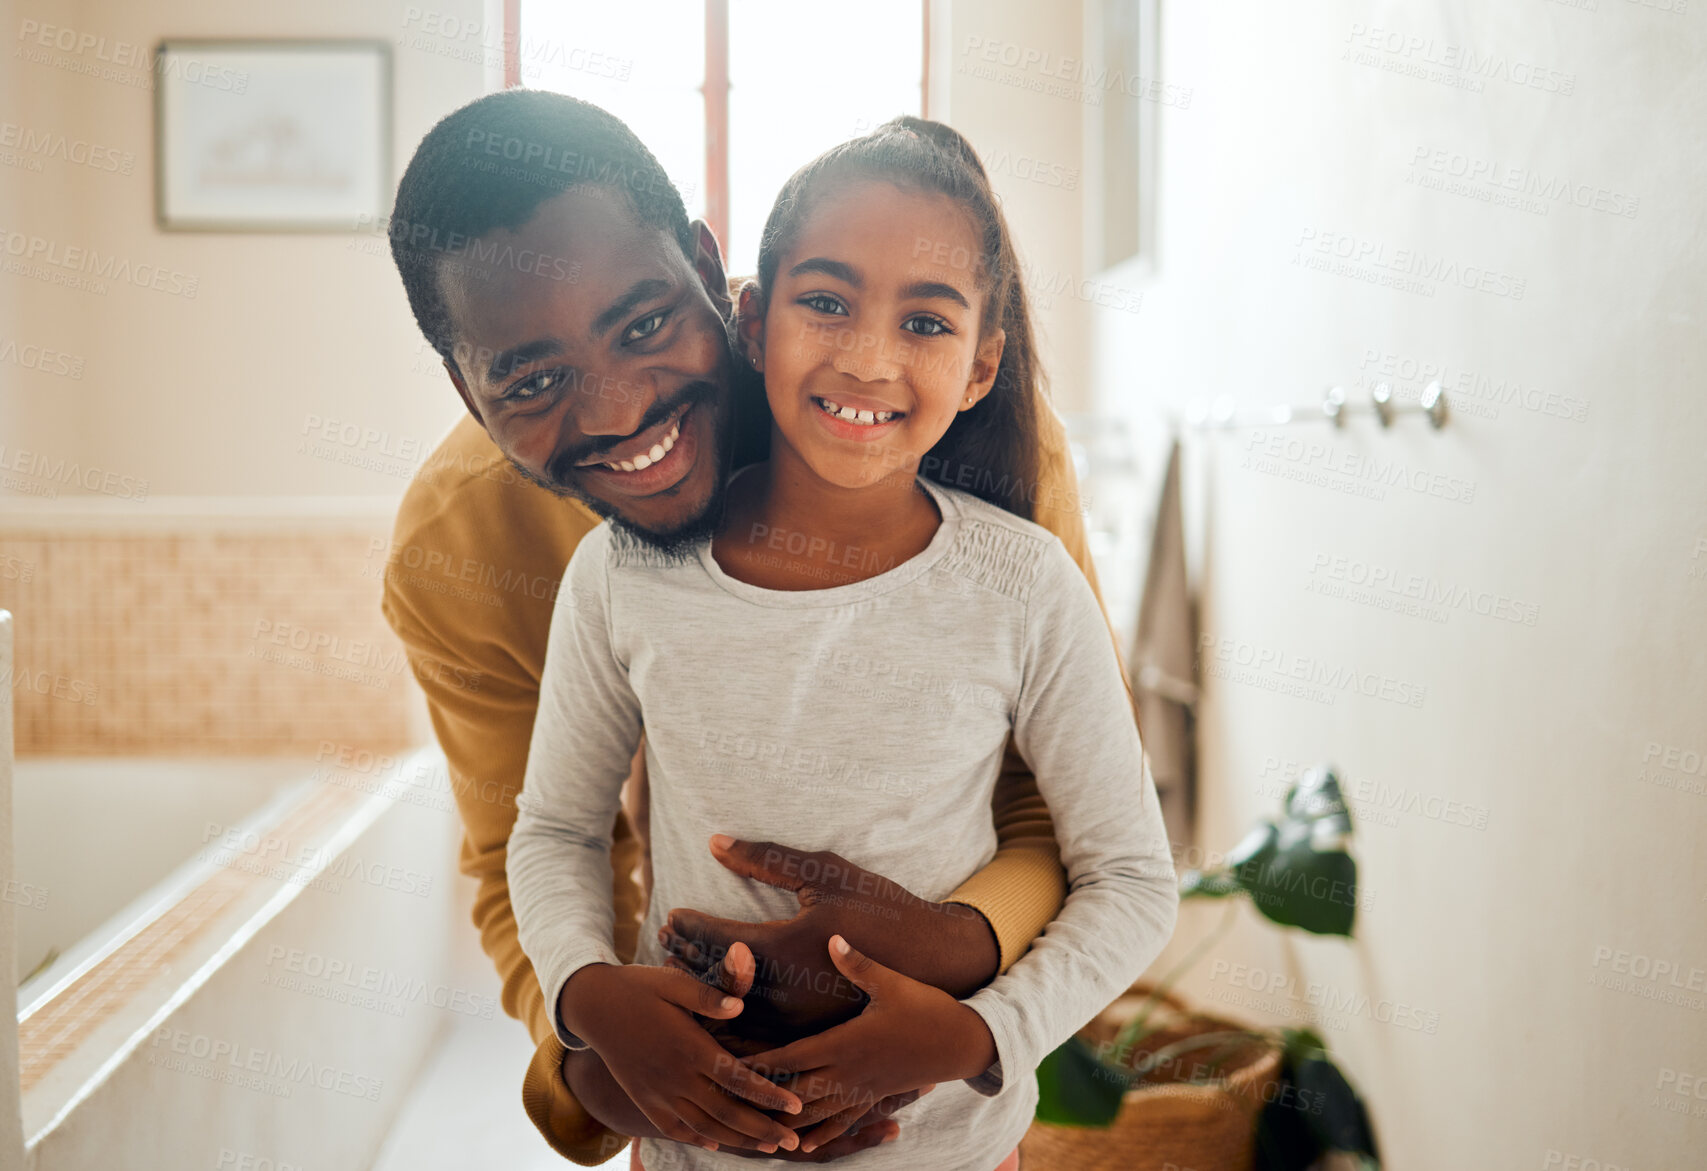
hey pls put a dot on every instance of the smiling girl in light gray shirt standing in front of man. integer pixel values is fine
(873, 619)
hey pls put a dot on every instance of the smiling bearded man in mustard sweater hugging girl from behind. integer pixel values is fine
(583, 320)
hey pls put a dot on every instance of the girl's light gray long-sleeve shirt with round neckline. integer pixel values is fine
(866, 719)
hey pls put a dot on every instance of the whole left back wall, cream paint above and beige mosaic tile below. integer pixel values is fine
(211, 474)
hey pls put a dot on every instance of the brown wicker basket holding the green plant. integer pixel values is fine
(1167, 1126)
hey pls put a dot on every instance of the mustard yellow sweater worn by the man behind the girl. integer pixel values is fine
(470, 583)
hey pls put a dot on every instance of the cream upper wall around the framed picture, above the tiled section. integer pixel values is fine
(213, 395)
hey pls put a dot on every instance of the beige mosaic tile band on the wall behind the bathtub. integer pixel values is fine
(202, 643)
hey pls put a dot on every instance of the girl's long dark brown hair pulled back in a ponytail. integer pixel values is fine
(991, 450)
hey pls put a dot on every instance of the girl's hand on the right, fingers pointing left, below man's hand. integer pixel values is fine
(909, 1039)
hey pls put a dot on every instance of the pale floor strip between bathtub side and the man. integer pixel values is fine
(467, 1110)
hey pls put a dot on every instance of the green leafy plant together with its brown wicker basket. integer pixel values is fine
(1155, 1085)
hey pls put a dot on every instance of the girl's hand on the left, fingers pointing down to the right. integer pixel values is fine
(641, 1022)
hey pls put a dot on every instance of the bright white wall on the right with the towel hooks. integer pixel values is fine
(1494, 938)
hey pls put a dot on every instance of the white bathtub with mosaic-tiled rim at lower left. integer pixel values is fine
(257, 958)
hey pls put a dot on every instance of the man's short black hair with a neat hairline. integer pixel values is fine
(491, 165)
